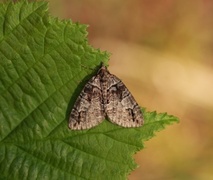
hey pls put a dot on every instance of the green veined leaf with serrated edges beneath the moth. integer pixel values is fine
(44, 63)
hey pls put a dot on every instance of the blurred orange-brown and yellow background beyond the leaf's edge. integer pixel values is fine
(163, 51)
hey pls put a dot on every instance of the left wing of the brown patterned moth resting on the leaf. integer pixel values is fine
(88, 108)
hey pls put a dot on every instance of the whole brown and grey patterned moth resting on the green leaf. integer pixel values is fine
(105, 95)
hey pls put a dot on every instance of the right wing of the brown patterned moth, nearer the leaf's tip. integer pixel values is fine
(121, 107)
